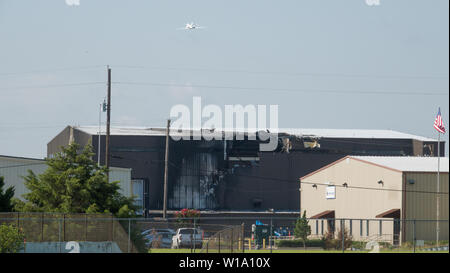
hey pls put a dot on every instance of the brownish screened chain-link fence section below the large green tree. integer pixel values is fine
(55, 229)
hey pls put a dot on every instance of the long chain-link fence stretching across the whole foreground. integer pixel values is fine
(52, 232)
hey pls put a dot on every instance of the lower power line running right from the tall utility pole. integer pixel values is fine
(321, 91)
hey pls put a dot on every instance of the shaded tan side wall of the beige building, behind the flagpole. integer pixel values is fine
(422, 206)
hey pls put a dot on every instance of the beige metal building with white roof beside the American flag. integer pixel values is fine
(382, 198)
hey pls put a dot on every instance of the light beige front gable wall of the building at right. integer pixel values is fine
(355, 203)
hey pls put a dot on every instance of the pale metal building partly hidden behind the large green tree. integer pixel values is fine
(14, 168)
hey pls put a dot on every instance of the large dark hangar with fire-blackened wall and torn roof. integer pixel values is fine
(234, 175)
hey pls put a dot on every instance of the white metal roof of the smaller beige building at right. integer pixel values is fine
(408, 163)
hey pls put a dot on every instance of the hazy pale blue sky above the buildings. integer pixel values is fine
(338, 64)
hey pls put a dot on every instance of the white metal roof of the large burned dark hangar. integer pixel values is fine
(326, 133)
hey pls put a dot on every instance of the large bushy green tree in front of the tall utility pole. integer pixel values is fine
(74, 183)
